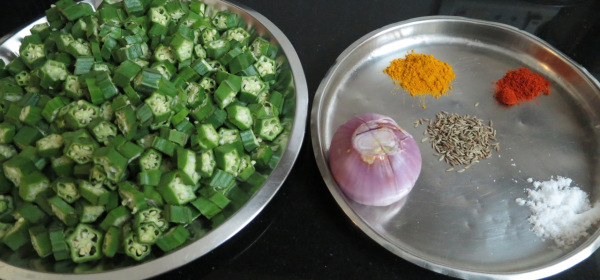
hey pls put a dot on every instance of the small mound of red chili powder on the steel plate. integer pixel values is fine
(520, 85)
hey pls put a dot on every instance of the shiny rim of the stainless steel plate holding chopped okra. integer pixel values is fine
(203, 242)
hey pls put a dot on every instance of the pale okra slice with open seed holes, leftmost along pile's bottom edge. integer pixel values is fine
(85, 243)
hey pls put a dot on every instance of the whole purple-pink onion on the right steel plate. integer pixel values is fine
(374, 161)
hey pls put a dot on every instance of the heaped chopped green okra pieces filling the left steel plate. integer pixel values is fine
(121, 126)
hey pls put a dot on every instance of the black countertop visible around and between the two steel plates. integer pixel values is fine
(303, 233)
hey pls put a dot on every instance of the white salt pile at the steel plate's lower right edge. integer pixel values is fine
(560, 212)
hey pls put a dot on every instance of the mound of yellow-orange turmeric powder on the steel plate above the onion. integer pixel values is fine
(421, 74)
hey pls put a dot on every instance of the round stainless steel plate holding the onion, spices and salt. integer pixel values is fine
(468, 224)
